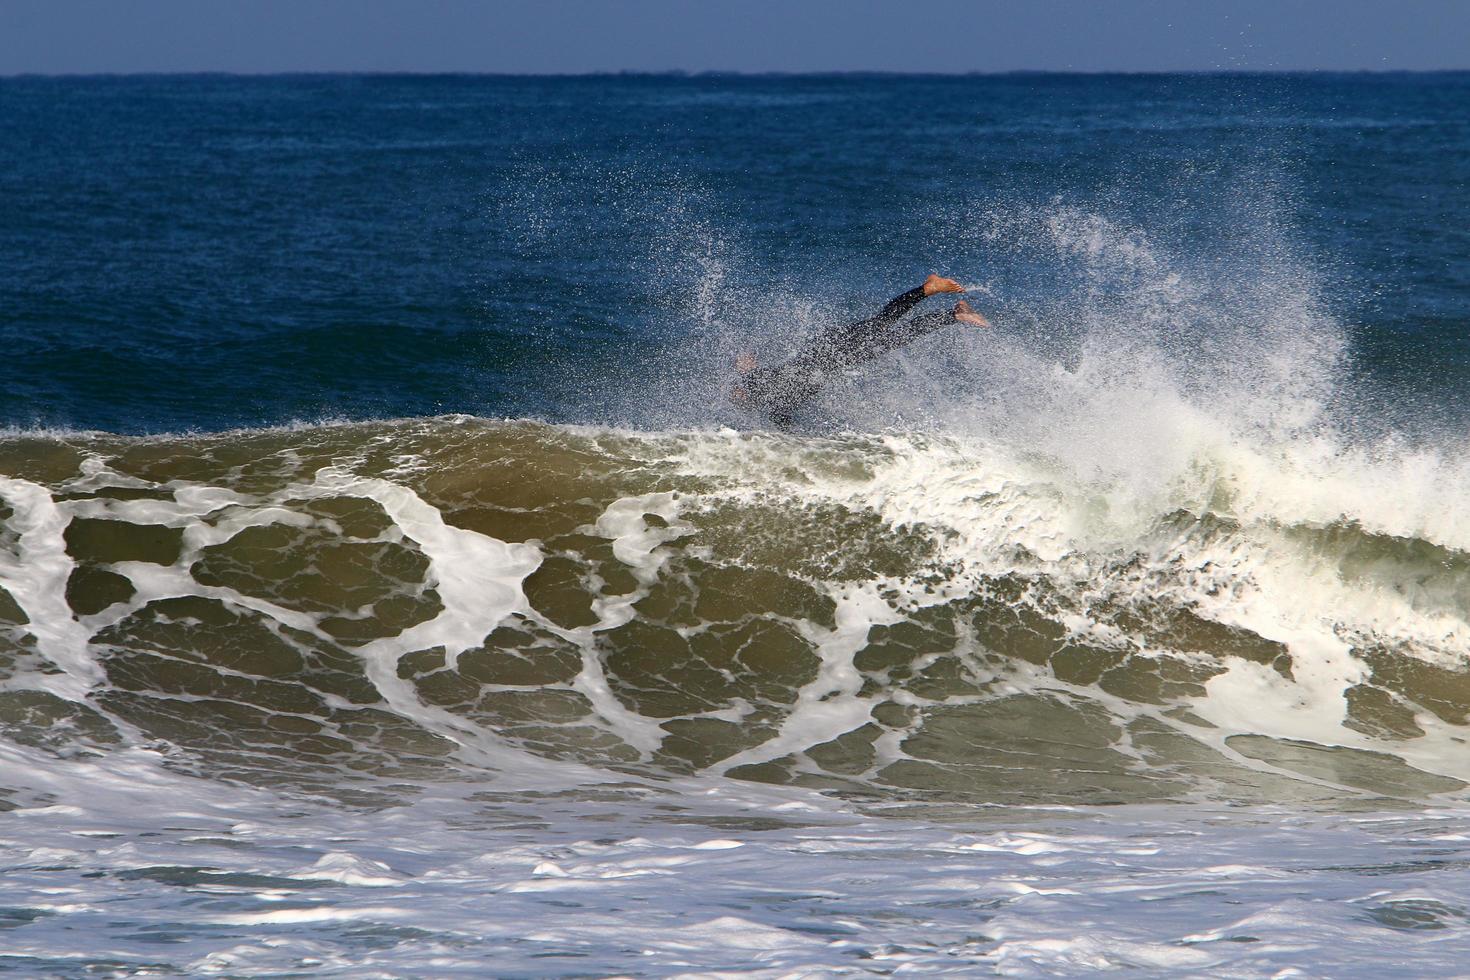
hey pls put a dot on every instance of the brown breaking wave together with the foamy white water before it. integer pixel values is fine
(495, 685)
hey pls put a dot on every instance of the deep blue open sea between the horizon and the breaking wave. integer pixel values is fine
(212, 252)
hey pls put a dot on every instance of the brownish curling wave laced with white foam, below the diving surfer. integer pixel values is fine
(890, 616)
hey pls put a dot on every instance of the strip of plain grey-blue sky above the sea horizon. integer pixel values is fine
(753, 36)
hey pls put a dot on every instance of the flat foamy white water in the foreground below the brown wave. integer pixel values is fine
(723, 878)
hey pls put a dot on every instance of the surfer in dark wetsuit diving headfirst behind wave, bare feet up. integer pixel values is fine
(778, 392)
